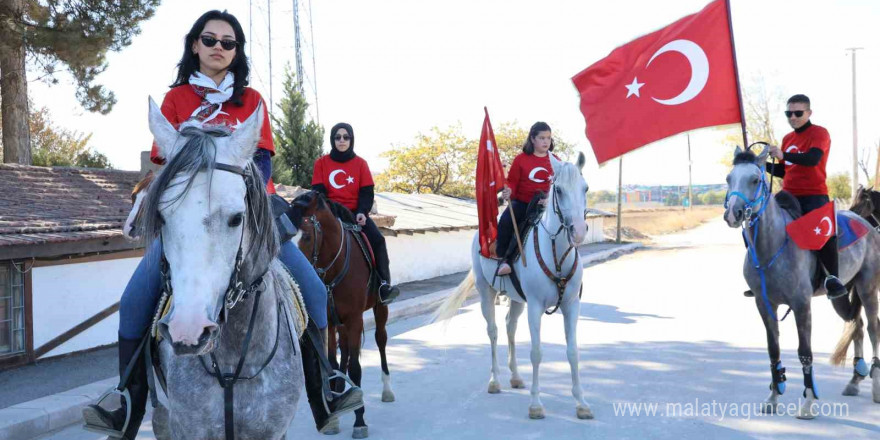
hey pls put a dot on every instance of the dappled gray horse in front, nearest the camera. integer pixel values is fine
(231, 312)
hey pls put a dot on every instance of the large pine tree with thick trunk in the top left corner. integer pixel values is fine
(48, 34)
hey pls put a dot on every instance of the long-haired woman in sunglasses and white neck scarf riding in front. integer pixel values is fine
(211, 87)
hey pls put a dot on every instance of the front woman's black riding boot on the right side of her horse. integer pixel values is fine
(318, 373)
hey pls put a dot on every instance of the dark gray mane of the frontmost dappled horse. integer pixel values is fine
(199, 153)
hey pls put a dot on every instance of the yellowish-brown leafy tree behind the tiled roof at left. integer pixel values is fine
(56, 146)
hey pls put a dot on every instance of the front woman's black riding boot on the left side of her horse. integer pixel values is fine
(112, 422)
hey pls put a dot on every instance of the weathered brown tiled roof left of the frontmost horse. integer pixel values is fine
(40, 205)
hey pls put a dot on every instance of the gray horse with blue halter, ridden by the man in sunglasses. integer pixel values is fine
(786, 271)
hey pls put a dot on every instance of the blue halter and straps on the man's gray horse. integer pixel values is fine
(761, 199)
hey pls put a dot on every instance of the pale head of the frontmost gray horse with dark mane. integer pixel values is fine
(210, 211)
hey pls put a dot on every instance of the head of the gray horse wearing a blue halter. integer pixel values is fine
(746, 187)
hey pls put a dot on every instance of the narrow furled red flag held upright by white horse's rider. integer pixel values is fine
(490, 180)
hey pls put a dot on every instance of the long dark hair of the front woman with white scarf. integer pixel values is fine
(189, 62)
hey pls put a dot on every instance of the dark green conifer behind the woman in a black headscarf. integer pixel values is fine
(297, 140)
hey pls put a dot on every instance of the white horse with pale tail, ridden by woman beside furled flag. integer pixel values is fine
(550, 248)
